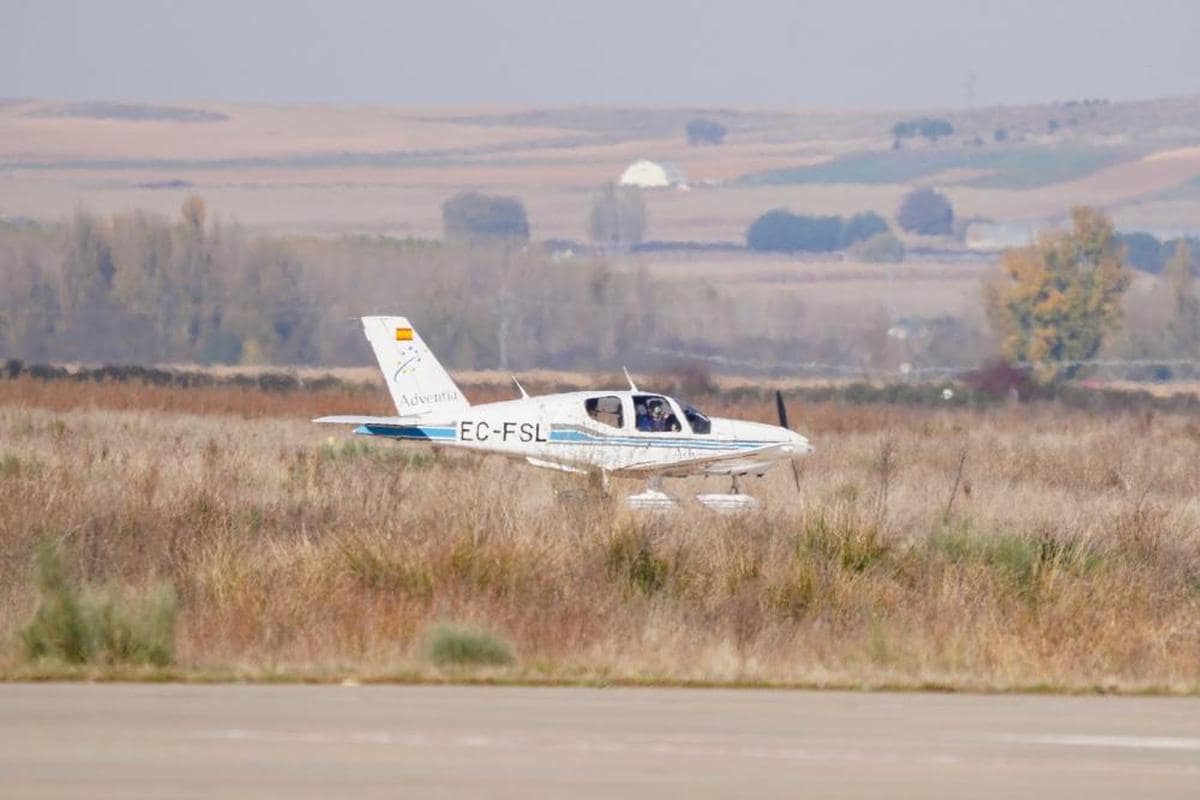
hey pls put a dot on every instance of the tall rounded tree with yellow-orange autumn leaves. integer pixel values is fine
(1055, 302)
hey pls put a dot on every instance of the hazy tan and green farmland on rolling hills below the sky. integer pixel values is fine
(386, 171)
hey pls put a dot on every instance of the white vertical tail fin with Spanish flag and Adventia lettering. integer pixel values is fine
(417, 381)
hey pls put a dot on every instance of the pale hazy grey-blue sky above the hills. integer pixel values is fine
(835, 53)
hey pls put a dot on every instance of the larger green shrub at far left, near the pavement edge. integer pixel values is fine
(79, 625)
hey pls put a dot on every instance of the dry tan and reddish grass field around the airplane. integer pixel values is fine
(1024, 548)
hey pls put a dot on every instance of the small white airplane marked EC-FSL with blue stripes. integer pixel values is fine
(615, 434)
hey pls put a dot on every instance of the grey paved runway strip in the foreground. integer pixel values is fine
(400, 742)
